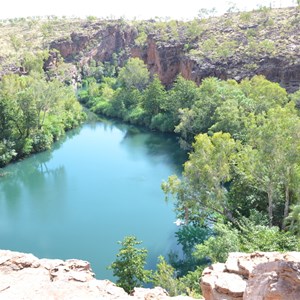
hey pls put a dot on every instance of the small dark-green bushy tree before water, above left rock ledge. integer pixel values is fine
(129, 265)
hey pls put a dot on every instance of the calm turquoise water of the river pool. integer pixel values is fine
(98, 185)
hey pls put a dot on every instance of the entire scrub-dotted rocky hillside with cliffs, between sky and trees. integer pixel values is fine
(235, 45)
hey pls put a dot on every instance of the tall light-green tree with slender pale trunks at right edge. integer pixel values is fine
(271, 160)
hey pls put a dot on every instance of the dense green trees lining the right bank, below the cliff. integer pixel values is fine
(240, 187)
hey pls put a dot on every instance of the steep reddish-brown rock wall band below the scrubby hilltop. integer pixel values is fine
(170, 59)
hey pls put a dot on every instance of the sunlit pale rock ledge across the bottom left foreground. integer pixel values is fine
(24, 276)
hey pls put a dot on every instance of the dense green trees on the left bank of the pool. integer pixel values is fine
(34, 112)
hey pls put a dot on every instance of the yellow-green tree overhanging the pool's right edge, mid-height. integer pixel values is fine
(202, 192)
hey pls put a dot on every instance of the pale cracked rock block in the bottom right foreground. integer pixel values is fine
(256, 276)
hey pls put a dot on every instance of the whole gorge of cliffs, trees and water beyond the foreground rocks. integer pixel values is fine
(227, 86)
